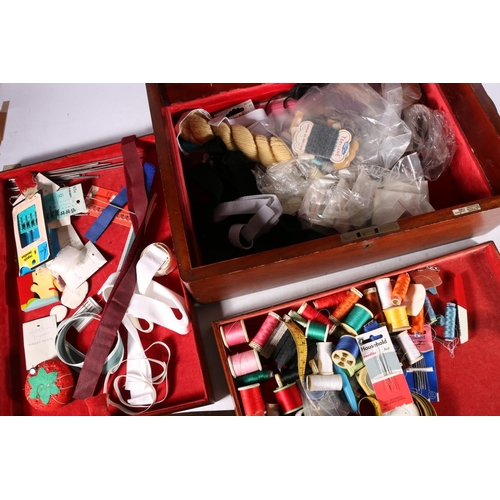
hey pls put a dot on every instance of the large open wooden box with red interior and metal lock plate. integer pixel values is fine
(465, 198)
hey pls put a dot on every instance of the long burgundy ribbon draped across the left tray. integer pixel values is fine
(123, 290)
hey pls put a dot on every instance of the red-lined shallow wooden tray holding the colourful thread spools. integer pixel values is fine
(466, 375)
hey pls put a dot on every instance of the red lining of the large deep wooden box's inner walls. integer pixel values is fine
(463, 182)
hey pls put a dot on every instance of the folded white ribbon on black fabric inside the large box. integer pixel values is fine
(266, 208)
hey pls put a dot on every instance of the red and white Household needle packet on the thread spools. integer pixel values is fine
(384, 369)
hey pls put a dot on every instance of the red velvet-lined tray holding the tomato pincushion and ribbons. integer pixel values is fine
(188, 380)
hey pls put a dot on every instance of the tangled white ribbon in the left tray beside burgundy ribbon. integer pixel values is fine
(154, 304)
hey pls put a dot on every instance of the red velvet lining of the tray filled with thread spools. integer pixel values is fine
(468, 383)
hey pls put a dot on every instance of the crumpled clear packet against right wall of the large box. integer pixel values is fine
(432, 139)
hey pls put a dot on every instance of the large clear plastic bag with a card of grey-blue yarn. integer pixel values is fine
(341, 125)
